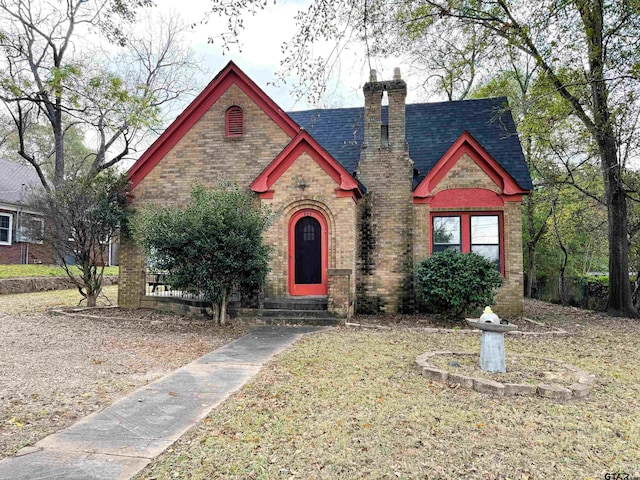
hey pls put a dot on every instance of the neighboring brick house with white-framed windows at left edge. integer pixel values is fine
(22, 230)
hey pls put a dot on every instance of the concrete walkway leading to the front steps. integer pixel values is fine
(119, 441)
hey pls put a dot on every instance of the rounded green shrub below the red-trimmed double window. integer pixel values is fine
(452, 283)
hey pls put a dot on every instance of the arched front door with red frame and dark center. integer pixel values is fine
(308, 253)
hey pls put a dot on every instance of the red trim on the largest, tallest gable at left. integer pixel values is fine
(228, 76)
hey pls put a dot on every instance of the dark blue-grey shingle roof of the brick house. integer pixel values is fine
(431, 128)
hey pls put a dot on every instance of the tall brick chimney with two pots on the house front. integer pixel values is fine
(385, 261)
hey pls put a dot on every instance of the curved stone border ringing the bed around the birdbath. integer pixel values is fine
(580, 389)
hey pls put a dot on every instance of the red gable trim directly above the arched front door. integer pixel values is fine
(305, 143)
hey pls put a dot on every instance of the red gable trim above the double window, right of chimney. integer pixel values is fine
(469, 145)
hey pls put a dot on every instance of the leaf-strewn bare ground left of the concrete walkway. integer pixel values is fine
(57, 368)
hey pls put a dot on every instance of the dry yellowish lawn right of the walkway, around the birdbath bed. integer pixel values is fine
(349, 404)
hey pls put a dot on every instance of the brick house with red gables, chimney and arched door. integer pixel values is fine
(362, 195)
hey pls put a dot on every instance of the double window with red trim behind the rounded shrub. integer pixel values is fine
(465, 232)
